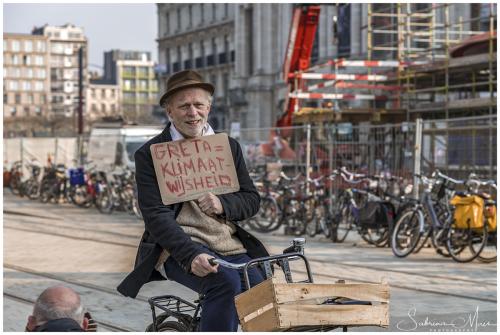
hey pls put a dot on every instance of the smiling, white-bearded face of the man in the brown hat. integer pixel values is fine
(188, 110)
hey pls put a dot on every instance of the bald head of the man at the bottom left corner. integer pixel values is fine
(58, 302)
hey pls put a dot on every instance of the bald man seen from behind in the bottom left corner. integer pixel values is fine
(58, 309)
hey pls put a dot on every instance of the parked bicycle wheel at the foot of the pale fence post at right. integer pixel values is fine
(406, 233)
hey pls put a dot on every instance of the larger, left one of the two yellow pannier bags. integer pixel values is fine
(468, 211)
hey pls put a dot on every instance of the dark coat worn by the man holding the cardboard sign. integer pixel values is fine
(162, 230)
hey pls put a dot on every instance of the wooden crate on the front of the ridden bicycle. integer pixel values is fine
(278, 306)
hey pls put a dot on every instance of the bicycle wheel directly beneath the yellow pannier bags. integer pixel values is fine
(465, 244)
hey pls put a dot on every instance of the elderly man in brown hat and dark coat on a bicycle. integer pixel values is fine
(179, 239)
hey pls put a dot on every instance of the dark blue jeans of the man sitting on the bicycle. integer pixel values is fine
(219, 289)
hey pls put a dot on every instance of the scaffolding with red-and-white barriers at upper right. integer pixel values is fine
(411, 68)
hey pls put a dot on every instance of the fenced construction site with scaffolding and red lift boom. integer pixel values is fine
(424, 79)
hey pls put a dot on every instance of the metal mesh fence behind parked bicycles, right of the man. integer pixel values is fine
(455, 146)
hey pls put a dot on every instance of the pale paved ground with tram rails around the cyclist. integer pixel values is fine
(45, 244)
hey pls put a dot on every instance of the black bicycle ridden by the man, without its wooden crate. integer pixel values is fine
(177, 314)
